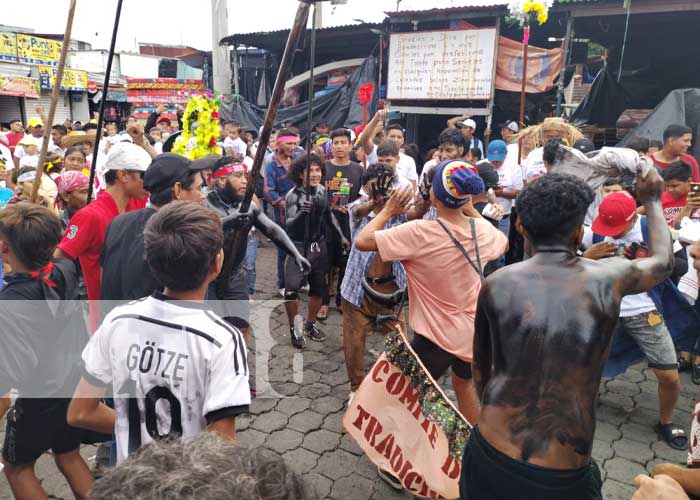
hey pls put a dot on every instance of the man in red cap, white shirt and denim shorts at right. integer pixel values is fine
(618, 230)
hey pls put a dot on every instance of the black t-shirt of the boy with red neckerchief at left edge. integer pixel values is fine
(43, 332)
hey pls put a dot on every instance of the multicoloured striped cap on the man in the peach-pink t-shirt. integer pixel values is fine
(454, 181)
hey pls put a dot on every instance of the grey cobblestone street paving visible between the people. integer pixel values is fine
(305, 425)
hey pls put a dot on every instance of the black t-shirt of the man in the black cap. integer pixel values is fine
(125, 273)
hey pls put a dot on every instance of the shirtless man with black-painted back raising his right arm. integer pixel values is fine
(542, 335)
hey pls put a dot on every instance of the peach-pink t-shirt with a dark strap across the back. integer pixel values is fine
(442, 287)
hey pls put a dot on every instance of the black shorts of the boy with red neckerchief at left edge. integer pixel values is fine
(35, 426)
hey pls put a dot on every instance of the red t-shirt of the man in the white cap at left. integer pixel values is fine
(83, 240)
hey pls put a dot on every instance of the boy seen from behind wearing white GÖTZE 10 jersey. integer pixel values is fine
(175, 367)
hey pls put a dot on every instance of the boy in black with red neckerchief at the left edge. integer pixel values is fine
(37, 358)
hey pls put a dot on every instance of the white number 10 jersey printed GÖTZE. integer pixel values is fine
(183, 366)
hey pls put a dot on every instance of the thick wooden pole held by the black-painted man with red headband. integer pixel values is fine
(240, 239)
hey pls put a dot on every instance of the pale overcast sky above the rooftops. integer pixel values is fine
(187, 22)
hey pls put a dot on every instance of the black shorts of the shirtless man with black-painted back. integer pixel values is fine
(488, 474)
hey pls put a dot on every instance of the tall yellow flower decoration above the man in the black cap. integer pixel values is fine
(200, 127)
